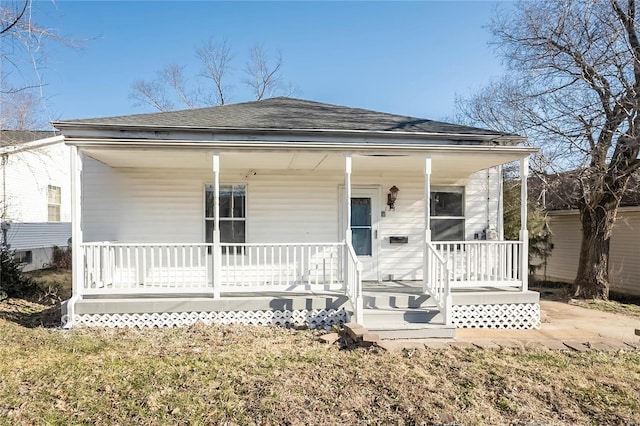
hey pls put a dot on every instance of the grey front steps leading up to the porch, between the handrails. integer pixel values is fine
(411, 323)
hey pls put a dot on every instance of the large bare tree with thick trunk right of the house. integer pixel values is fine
(574, 89)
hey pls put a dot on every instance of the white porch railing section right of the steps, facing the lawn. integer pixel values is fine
(482, 263)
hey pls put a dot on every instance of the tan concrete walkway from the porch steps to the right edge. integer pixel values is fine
(564, 327)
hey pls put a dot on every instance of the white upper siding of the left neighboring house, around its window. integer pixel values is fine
(28, 175)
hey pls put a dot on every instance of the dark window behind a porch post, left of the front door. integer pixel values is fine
(233, 204)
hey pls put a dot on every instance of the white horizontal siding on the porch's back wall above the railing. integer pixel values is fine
(166, 205)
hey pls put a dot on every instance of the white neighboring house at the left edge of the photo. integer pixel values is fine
(35, 195)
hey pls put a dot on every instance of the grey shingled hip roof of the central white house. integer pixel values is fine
(284, 113)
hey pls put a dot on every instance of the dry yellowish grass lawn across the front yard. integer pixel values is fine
(260, 375)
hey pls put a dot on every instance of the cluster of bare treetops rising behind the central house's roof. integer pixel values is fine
(171, 89)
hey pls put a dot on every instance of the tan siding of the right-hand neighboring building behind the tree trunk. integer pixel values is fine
(624, 268)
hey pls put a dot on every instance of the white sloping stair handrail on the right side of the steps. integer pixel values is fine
(437, 281)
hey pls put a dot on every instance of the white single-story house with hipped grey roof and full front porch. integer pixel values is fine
(277, 211)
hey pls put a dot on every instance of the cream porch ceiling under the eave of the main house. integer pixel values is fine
(444, 164)
